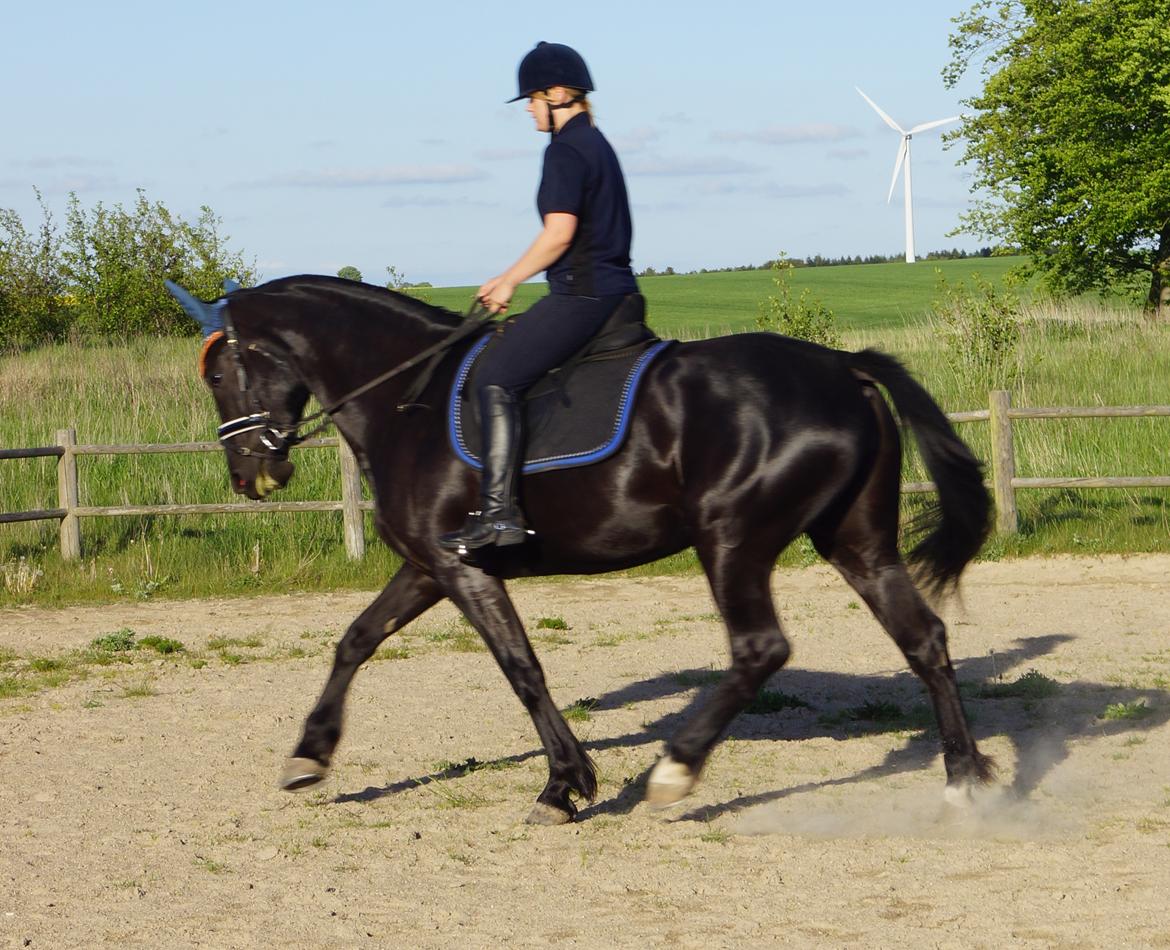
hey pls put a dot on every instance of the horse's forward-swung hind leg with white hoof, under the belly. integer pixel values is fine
(740, 586)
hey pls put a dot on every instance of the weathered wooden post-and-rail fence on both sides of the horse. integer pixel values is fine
(1000, 416)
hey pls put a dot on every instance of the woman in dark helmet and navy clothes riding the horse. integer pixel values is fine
(584, 246)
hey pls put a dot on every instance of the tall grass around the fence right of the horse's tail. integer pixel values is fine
(1078, 355)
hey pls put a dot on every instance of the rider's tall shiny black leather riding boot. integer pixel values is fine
(500, 520)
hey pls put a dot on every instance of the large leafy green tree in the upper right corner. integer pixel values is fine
(1070, 139)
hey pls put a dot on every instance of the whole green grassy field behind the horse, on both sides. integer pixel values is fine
(148, 391)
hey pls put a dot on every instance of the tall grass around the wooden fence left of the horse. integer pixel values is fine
(148, 391)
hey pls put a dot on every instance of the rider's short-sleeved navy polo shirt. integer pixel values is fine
(582, 177)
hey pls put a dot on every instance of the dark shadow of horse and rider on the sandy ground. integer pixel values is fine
(846, 706)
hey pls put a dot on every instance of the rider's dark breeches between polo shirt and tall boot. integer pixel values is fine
(545, 336)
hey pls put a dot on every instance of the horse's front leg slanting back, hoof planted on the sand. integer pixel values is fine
(486, 604)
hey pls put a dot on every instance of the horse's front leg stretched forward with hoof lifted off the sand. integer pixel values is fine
(409, 594)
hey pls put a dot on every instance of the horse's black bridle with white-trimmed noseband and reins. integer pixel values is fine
(279, 438)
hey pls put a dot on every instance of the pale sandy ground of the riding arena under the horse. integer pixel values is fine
(140, 806)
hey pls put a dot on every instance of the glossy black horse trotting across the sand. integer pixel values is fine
(737, 448)
